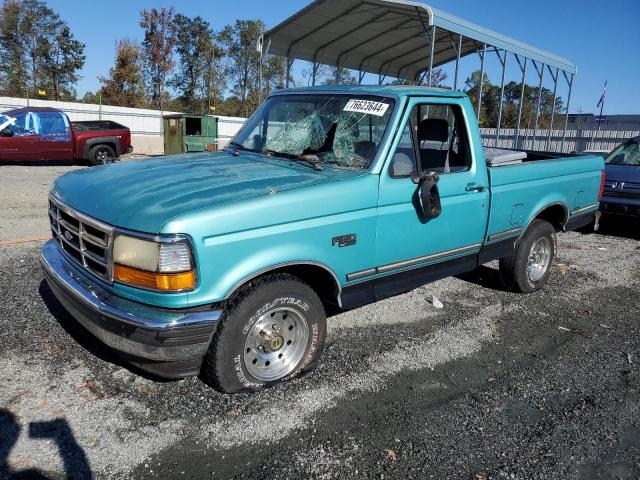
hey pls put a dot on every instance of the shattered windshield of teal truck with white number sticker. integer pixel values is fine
(343, 130)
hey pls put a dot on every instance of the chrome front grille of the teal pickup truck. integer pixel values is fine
(85, 240)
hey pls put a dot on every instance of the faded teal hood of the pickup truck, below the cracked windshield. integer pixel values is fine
(144, 194)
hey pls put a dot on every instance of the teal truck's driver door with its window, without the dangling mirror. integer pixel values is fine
(412, 250)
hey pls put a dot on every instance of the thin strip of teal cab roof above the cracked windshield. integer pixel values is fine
(394, 90)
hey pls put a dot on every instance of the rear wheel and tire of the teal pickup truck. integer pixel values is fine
(527, 269)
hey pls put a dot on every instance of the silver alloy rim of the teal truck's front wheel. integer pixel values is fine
(276, 344)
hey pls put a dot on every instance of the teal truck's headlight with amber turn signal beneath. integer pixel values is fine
(158, 265)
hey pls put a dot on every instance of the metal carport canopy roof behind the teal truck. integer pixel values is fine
(390, 37)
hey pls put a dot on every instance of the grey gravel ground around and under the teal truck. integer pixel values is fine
(493, 385)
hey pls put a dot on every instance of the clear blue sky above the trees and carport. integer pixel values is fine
(602, 38)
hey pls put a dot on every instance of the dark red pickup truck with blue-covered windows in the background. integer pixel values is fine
(37, 134)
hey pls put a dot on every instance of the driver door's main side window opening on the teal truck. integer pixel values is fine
(442, 138)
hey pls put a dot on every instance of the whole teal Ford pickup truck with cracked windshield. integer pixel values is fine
(223, 264)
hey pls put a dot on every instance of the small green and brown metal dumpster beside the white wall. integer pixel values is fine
(190, 133)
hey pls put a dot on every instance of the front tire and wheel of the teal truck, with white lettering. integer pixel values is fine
(272, 331)
